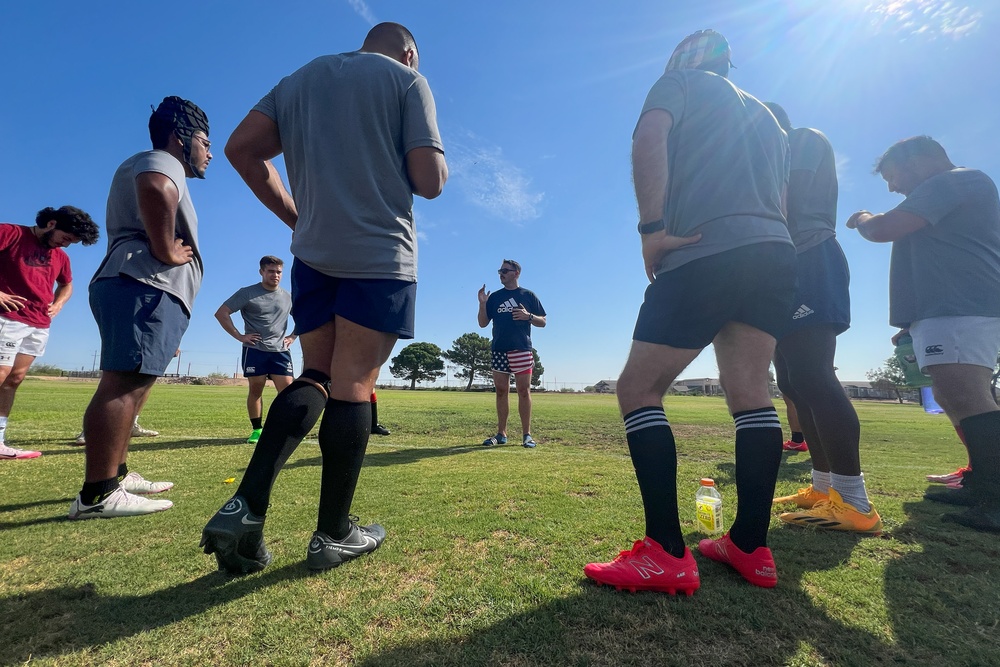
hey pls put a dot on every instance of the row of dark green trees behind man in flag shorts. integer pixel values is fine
(470, 352)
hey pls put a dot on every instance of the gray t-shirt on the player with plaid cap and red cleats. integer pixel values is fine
(728, 164)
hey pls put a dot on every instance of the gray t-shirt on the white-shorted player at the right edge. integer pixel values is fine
(952, 266)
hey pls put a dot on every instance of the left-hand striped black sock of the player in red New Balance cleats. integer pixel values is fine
(654, 456)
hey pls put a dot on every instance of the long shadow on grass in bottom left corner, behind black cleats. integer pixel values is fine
(55, 621)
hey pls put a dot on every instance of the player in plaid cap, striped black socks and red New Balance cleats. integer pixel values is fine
(709, 164)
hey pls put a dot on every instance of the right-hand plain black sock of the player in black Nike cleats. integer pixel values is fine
(343, 437)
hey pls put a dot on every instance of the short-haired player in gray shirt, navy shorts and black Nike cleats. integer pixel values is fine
(358, 132)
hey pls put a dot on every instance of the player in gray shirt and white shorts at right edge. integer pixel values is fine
(944, 287)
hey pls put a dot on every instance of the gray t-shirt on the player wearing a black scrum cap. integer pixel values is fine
(129, 253)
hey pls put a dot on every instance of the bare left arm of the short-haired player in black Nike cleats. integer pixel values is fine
(250, 149)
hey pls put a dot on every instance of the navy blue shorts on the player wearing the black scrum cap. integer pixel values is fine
(141, 327)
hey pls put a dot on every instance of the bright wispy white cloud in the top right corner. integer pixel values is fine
(927, 18)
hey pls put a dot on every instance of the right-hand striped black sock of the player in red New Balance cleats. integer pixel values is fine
(758, 457)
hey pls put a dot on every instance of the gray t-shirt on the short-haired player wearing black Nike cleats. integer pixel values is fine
(346, 123)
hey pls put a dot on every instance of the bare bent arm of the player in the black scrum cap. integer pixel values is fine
(158, 198)
